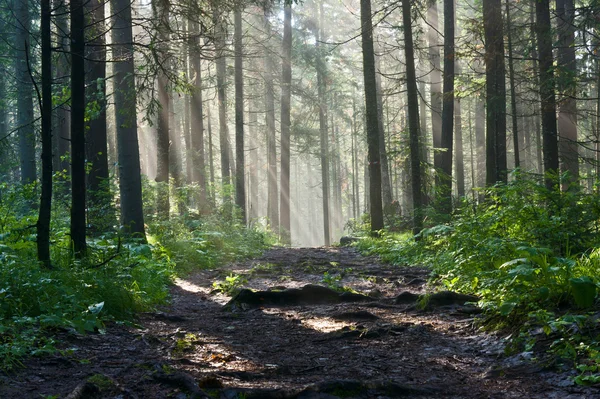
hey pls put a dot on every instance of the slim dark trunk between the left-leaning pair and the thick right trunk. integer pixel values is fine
(445, 189)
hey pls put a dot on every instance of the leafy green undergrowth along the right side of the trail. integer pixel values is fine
(531, 255)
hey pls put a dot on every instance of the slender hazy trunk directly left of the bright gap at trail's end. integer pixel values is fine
(286, 97)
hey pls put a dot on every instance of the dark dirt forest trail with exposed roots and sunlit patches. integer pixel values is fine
(376, 347)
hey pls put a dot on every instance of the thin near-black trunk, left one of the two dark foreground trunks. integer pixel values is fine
(44, 215)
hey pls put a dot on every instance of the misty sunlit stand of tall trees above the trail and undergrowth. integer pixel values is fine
(168, 83)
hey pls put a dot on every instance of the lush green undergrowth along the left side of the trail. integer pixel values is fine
(117, 279)
